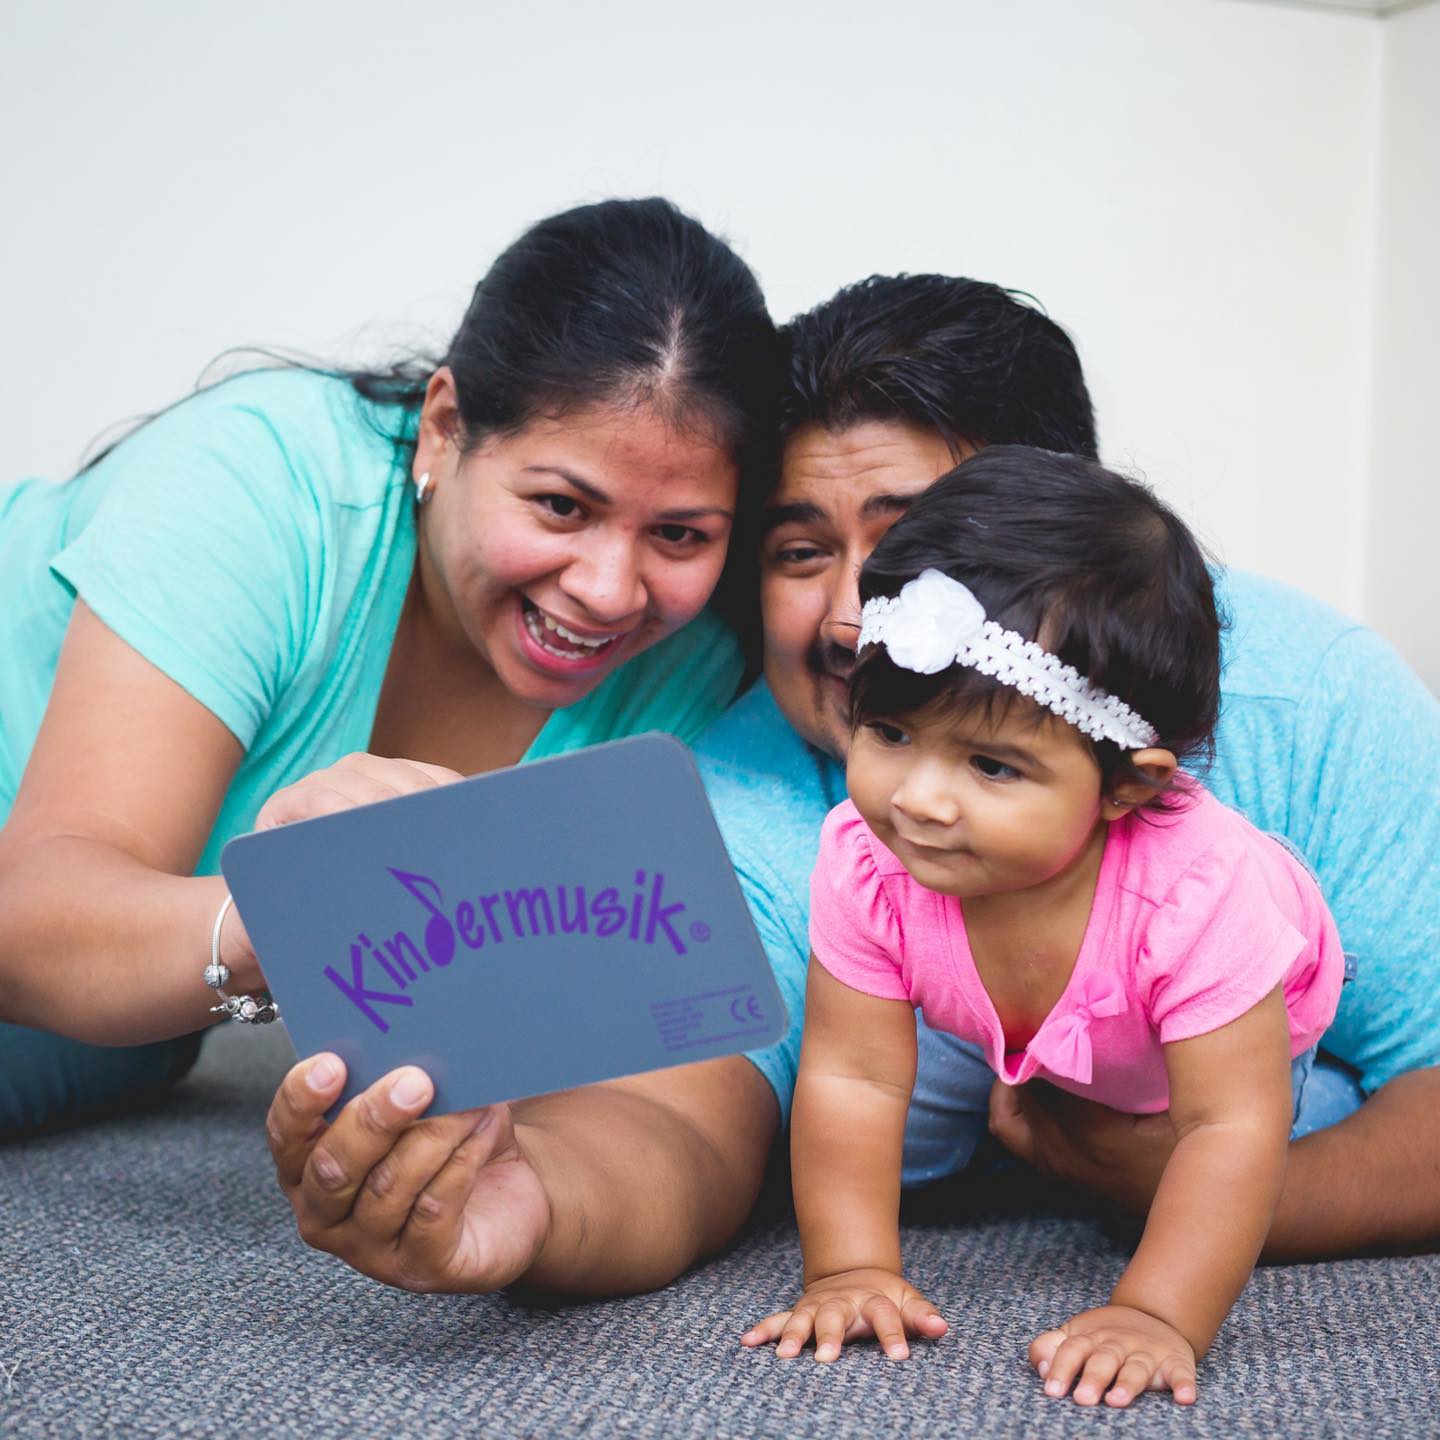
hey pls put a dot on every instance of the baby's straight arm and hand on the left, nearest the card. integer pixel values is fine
(852, 1095)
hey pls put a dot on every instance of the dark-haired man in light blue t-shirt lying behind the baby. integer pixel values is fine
(621, 1186)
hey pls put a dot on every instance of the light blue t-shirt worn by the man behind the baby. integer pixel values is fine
(1326, 738)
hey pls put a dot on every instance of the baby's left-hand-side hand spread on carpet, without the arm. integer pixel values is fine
(853, 1305)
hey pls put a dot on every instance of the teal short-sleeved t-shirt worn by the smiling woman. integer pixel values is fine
(256, 545)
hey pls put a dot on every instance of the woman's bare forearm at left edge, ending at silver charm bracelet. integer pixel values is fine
(99, 947)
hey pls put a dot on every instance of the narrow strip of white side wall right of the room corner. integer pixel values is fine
(1403, 593)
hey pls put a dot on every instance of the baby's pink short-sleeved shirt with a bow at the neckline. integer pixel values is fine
(1197, 917)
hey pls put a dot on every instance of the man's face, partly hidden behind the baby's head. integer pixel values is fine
(839, 495)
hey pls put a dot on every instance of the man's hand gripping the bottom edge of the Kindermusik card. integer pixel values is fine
(449, 1203)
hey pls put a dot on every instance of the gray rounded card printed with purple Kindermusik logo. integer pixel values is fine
(516, 934)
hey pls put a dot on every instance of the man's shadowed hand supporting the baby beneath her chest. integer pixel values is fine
(1115, 1156)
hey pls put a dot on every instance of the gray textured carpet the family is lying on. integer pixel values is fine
(152, 1285)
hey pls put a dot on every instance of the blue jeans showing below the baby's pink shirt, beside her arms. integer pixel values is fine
(950, 1111)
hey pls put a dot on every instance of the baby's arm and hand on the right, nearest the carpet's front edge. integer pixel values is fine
(1230, 1105)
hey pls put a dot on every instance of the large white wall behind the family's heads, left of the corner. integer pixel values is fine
(1189, 186)
